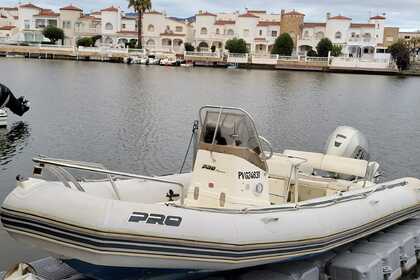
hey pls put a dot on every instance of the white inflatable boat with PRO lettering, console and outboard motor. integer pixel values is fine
(243, 204)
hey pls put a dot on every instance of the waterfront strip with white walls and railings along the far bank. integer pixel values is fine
(220, 59)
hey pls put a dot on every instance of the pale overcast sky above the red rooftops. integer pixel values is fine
(402, 13)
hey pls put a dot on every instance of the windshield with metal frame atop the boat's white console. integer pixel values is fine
(235, 131)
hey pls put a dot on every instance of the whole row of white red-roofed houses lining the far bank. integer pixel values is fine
(162, 33)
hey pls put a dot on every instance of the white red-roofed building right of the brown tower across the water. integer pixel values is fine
(356, 39)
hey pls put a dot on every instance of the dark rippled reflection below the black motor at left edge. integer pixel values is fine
(12, 142)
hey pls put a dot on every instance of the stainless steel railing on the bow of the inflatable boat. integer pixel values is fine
(56, 167)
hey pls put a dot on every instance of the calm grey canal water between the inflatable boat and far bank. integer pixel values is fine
(139, 118)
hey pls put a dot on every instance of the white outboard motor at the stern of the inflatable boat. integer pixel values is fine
(348, 142)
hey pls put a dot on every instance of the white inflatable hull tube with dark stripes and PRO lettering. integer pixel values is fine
(117, 234)
